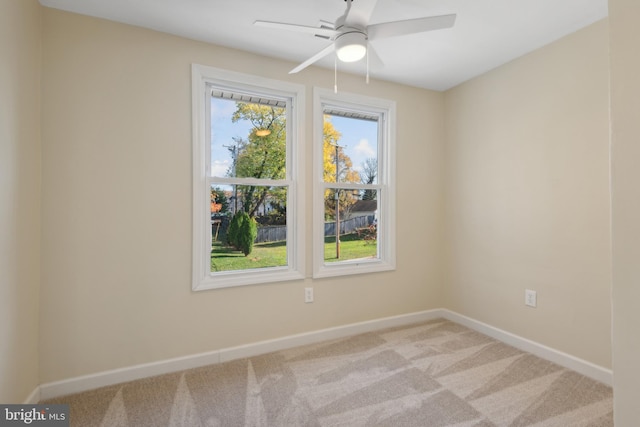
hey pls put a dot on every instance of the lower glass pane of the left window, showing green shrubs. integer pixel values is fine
(267, 207)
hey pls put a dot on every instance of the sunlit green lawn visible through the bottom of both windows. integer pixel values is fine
(274, 254)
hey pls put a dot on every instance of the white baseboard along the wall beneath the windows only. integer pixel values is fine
(116, 376)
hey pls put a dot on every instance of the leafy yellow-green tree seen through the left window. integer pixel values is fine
(260, 156)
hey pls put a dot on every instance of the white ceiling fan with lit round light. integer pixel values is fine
(351, 34)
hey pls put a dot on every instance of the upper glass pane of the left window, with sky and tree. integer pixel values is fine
(248, 140)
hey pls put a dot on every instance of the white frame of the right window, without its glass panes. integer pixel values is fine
(386, 110)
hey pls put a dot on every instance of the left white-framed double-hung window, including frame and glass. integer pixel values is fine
(247, 209)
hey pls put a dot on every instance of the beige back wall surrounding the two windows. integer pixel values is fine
(117, 196)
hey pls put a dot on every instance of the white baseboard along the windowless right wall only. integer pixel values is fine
(565, 360)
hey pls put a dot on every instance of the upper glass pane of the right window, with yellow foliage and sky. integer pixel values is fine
(350, 149)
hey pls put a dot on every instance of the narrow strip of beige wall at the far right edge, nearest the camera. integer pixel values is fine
(625, 174)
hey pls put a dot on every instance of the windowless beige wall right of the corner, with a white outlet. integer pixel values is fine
(527, 185)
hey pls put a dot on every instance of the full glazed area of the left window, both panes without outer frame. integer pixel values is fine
(248, 160)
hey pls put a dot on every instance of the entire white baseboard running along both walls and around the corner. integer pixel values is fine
(106, 378)
